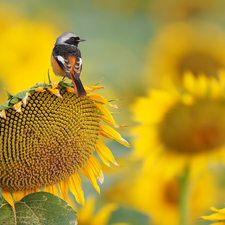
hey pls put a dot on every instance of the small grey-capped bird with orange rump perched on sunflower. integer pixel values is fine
(66, 60)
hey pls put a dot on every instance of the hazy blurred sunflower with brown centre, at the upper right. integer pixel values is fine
(185, 46)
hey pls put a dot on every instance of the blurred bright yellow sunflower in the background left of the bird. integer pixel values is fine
(19, 41)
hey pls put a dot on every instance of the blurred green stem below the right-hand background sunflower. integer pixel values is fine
(184, 198)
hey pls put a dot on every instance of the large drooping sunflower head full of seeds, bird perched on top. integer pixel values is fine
(48, 135)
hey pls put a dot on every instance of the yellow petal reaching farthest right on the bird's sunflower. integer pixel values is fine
(109, 132)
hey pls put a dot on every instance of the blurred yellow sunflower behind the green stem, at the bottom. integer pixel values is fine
(156, 194)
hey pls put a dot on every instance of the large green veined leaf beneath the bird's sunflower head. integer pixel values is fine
(41, 208)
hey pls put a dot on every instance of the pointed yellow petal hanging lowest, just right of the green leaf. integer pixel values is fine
(76, 188)
